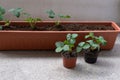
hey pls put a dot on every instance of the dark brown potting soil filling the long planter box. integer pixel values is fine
(65, 27)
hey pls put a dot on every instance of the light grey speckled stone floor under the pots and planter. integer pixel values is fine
(47, 65)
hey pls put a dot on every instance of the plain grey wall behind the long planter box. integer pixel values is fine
(83, 10)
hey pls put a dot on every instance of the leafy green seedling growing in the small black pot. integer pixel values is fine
(92, 43)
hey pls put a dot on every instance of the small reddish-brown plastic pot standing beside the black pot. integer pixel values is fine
(69, 62)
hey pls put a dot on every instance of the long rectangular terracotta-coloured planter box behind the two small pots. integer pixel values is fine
(40, 40)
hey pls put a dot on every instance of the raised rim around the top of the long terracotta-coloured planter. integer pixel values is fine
(117, 28)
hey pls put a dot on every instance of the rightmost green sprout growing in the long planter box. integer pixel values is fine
(52, 15)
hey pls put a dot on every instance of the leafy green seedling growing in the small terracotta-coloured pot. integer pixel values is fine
(67, 45)
